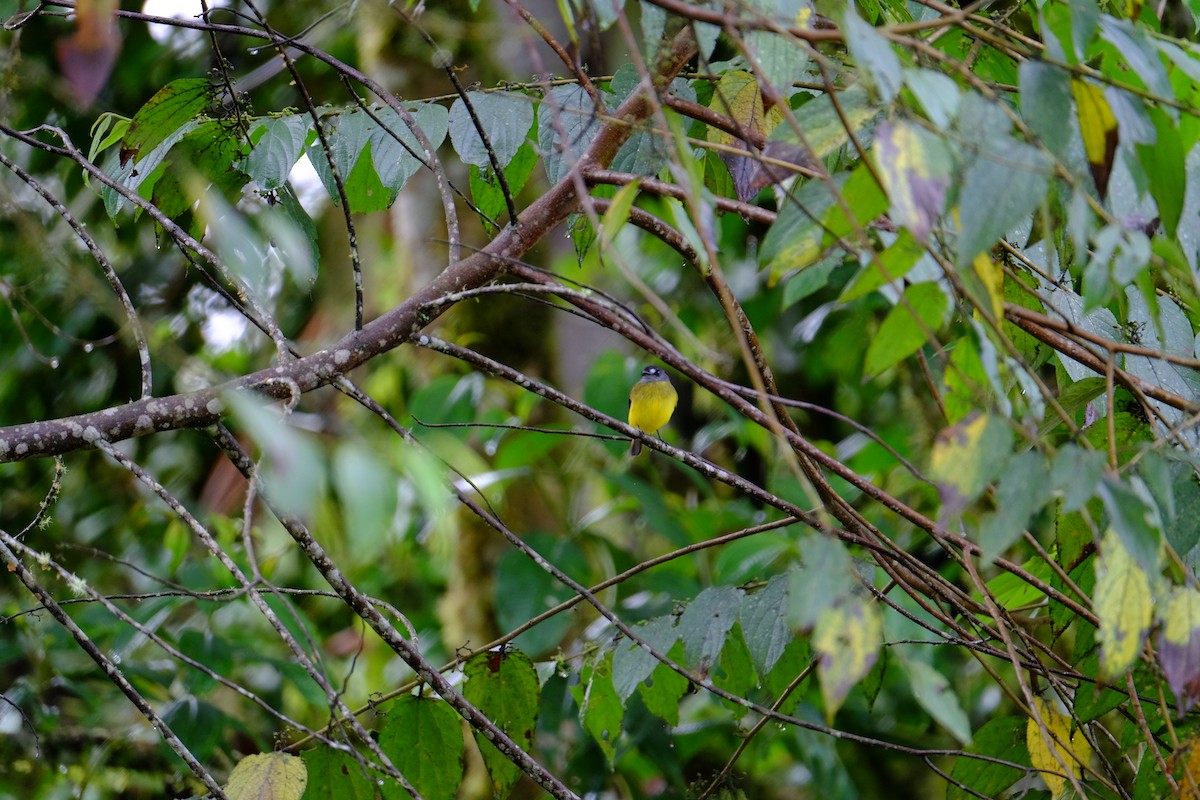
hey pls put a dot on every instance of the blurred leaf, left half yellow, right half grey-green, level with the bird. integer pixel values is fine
(968, 458)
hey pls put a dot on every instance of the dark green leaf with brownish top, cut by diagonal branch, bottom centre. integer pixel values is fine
(505, 687)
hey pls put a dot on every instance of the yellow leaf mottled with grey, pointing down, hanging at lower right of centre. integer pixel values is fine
(848, 640)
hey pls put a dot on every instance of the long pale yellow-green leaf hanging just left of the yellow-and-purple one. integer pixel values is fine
(1123, 604)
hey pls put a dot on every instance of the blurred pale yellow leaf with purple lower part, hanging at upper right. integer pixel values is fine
(916, 170)
